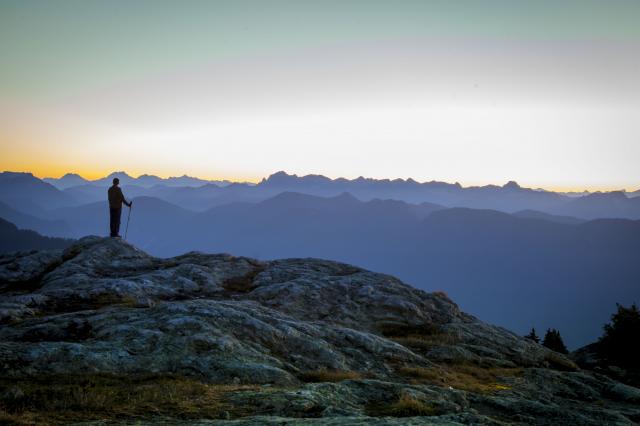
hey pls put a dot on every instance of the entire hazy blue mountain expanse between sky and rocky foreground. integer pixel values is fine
(516, 268)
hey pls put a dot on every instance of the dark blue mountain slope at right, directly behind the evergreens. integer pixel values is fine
(512, 271)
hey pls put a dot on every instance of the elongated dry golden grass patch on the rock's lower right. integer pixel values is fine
(466, 377)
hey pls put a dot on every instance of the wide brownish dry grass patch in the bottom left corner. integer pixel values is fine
(61, 400)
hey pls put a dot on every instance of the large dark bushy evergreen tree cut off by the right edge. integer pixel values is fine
(620, 344)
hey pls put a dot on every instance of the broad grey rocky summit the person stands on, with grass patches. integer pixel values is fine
(104, 333)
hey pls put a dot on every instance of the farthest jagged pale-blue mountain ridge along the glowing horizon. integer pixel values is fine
(200, 195)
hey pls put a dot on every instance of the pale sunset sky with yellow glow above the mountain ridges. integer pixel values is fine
(542, 92)
